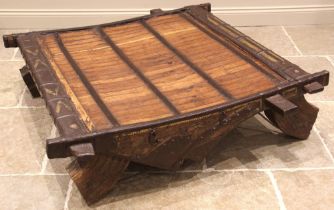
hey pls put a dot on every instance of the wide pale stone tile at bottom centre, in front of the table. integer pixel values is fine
(209, 190)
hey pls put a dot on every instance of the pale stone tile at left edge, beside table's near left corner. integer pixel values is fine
(23, 137)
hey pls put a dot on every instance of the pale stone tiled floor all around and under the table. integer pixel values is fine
(255, 167)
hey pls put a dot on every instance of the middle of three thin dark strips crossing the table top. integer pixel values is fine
(136, 70)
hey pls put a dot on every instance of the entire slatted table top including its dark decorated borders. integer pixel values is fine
(149, 70)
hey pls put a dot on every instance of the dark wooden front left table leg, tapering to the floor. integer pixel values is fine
(96, 175)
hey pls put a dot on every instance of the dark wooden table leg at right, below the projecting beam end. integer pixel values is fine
(297, 124)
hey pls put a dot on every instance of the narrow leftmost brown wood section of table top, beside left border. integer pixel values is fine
(85, 105)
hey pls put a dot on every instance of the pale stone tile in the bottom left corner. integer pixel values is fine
(33, 192)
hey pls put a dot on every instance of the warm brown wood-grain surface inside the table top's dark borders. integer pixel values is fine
(148, 70)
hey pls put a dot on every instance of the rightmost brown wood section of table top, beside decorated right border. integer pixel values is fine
(231, 72)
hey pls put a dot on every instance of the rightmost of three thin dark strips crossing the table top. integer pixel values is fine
(212, 82)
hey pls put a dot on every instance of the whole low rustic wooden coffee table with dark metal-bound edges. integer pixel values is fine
(157, 90)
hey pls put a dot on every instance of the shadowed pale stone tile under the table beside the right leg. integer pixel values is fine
(253, 146)
